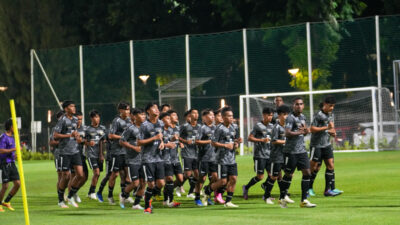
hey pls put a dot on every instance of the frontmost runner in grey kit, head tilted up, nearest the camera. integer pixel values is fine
(151, 139)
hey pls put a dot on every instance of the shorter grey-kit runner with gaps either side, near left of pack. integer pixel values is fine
(95, 134)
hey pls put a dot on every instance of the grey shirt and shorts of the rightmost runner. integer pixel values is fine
(321, 139)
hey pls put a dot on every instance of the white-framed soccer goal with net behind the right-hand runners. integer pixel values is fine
(365, 118)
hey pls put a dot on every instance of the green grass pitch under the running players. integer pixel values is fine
(371, 184)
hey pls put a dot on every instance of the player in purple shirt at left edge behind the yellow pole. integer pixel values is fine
(9, 171)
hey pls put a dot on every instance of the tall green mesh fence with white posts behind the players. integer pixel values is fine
(199, 70)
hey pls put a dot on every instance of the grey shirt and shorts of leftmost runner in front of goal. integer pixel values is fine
(261, 131)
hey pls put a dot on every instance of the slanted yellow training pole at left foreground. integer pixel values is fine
(19, 157)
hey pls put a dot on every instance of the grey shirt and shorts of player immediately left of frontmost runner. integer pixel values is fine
(132, 135)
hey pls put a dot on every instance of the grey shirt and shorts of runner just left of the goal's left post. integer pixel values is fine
(225, 135)
